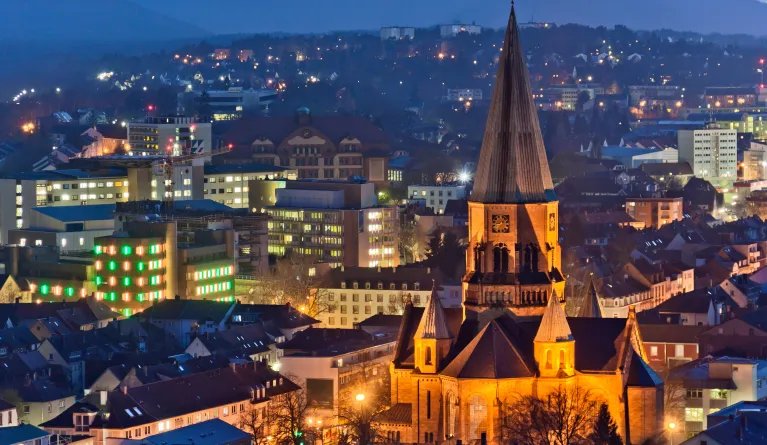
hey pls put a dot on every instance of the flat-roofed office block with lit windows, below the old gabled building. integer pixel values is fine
(337, 222)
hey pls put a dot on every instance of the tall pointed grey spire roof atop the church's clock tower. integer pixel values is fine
(512, 165)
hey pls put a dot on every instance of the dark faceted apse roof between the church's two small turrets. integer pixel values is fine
(495, 353)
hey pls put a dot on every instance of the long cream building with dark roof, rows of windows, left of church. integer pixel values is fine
(353, 294)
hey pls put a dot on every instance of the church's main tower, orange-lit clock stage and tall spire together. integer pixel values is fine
(513, 258)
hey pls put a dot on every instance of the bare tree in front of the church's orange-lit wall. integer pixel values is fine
(565, 416)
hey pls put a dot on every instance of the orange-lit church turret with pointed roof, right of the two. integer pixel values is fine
(554, 344)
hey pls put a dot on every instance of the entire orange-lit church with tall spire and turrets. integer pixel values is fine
(455, 372)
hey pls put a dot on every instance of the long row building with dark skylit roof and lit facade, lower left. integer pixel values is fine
(138, 412)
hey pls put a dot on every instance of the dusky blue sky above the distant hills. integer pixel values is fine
(249, 16)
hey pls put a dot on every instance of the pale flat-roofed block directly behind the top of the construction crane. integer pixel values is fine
(176, 134)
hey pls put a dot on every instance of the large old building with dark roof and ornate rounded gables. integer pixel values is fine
(318, 147)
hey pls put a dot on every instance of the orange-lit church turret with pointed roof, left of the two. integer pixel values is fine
(433, 336)
